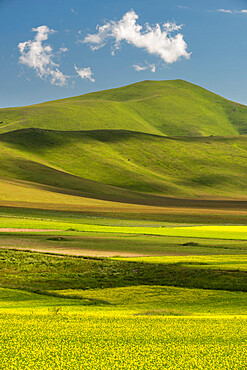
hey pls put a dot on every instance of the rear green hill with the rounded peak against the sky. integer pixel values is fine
(172, 108)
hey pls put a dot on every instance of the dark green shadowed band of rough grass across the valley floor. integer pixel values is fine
(43, 273)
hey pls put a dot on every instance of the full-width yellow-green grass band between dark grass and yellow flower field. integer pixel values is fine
(142, 300)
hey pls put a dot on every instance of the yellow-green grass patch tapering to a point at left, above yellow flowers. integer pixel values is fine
(164, 300)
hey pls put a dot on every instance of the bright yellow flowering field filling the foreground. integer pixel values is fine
(76, 340)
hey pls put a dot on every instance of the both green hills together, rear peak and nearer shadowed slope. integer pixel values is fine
(132, 144)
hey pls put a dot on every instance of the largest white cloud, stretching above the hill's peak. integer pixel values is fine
(157, 40)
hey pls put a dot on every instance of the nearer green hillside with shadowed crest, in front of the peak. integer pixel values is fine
(99, 162)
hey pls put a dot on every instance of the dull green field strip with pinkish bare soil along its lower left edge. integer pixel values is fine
(103, 244)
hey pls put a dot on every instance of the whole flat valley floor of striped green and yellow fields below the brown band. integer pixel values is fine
(110, 292)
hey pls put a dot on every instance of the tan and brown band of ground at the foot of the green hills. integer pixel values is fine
(67, 208)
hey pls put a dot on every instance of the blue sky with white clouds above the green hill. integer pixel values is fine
(51, 49)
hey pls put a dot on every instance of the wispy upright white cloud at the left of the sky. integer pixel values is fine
(39, 56)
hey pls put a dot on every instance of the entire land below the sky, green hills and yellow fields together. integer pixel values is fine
(123, 231)
